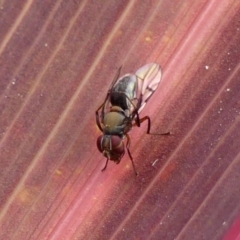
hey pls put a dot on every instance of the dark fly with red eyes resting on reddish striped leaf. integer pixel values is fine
(120, 110)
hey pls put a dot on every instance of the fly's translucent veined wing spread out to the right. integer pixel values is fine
(148, 78)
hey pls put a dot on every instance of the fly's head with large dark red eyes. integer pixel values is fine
(112, 147)
